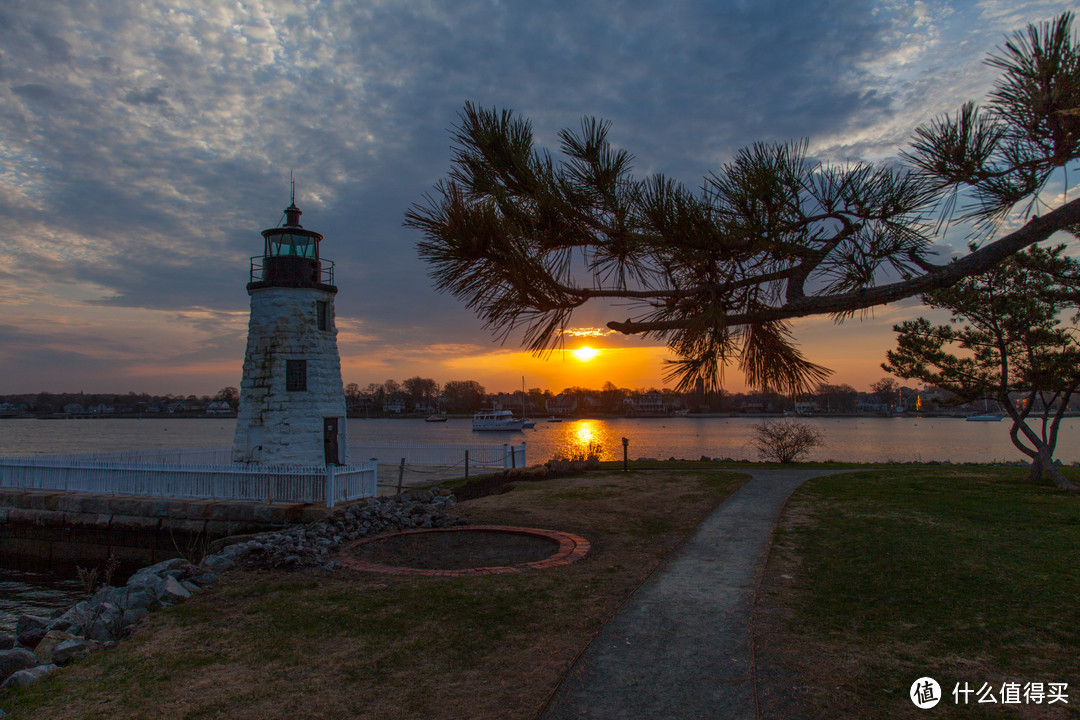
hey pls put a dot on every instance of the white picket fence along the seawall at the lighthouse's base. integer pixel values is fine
(288, 484)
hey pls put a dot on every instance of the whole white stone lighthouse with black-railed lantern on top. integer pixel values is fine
(292, 405)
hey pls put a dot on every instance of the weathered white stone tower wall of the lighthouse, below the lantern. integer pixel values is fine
(279, 427)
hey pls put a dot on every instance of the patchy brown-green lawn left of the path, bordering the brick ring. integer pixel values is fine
(343, 645)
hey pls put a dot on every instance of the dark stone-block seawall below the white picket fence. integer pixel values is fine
(47, 529)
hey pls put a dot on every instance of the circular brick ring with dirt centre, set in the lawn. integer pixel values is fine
(460, 552)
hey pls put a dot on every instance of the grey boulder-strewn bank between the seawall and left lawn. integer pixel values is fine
(42, 646)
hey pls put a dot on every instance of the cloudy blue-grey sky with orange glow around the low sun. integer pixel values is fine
(145, 145)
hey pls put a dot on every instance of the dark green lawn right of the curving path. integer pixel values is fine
(964, 574)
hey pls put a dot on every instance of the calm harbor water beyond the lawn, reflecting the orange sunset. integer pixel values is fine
(854, 440)
